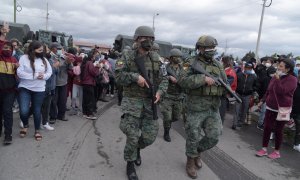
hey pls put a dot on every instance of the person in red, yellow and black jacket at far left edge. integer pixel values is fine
(8, 66)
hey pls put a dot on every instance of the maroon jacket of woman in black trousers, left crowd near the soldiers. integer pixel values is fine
(90, 72)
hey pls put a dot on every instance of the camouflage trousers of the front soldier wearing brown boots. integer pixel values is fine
(210, 122)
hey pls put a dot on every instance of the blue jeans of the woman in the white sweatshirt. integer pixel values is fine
(36, 99)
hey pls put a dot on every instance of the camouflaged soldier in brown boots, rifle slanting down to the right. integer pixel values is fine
(203, 101)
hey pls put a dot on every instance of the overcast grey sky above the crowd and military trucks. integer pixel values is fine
(234, 23)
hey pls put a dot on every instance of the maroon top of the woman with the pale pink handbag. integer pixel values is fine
(283, 89)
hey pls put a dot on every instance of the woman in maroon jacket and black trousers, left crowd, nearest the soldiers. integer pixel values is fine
(89, 72)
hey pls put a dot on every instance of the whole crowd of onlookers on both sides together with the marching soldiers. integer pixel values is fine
(38, 80)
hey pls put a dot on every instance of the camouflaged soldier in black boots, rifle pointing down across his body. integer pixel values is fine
(137, 123)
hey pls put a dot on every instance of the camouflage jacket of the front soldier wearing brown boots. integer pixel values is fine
(195, 82)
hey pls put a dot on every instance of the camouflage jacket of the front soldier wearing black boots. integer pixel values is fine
(135, 97)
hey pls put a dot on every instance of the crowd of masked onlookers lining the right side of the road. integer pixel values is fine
(274, 86)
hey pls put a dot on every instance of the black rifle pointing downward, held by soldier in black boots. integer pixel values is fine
(140, 63)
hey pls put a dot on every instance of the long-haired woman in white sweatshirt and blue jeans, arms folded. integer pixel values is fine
(33, 72)
